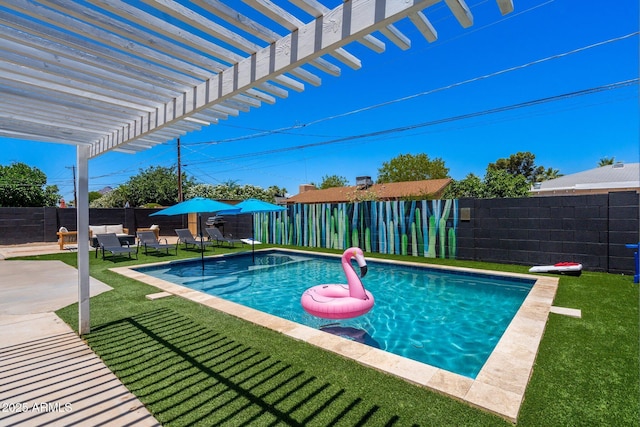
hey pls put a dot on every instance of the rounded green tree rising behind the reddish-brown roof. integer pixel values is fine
(407, 167)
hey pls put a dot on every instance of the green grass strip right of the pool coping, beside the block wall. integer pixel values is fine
(587, 369)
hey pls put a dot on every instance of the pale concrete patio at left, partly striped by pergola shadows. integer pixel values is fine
(48, 375)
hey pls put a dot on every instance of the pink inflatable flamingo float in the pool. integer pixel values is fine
(341, 301)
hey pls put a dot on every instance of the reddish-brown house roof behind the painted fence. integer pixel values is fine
(389, 191)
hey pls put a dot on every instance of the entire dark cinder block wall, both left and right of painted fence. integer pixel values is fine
(591, 229)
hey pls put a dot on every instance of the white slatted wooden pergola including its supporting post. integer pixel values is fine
(127, 75)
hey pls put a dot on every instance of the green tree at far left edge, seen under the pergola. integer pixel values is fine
(24, 186)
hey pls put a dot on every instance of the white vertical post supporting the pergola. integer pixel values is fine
(82, 211)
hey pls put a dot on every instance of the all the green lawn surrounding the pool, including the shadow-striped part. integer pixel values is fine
(192, 365)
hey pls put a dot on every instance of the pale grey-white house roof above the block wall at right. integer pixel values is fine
(611, 177)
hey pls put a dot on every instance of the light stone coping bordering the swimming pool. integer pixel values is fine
(500, 385)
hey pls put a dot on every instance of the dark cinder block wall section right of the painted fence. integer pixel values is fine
(590, 229)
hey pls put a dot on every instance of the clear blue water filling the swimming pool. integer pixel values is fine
(445, 319)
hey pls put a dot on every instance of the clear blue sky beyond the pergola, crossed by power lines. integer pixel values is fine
(570, 46)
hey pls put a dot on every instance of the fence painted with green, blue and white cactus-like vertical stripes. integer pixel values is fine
(426, 228)
